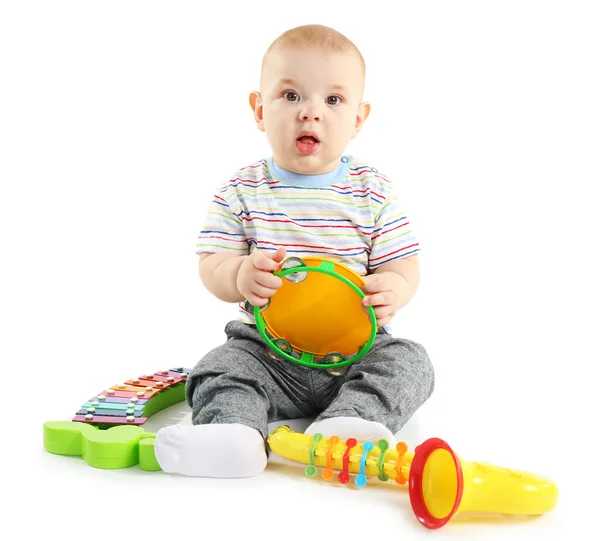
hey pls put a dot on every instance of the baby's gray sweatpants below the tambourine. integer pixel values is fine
(238, 382)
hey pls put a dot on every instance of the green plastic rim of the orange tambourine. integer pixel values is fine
(306, 359)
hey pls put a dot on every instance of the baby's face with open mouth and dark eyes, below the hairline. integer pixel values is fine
(310, 107)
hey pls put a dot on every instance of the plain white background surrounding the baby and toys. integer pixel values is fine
(117, 121)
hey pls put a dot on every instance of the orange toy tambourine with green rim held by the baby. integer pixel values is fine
(317, 314)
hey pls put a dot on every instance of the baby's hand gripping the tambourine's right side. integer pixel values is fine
(386, 292)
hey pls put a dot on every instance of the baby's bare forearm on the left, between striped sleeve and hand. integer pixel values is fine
(218, 273)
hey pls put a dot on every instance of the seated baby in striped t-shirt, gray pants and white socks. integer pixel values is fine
(307, 199)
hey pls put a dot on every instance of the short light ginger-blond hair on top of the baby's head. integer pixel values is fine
(315, 36)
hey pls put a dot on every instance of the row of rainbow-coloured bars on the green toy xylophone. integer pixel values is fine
(128, 402)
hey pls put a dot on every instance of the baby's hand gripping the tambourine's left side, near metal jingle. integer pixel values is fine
(255, 279)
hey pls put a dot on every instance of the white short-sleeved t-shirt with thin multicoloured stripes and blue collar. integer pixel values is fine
(352, 215)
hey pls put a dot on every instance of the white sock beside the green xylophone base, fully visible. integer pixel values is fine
(213, 450)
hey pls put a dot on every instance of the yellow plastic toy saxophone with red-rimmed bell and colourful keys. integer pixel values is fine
(440, 483)
